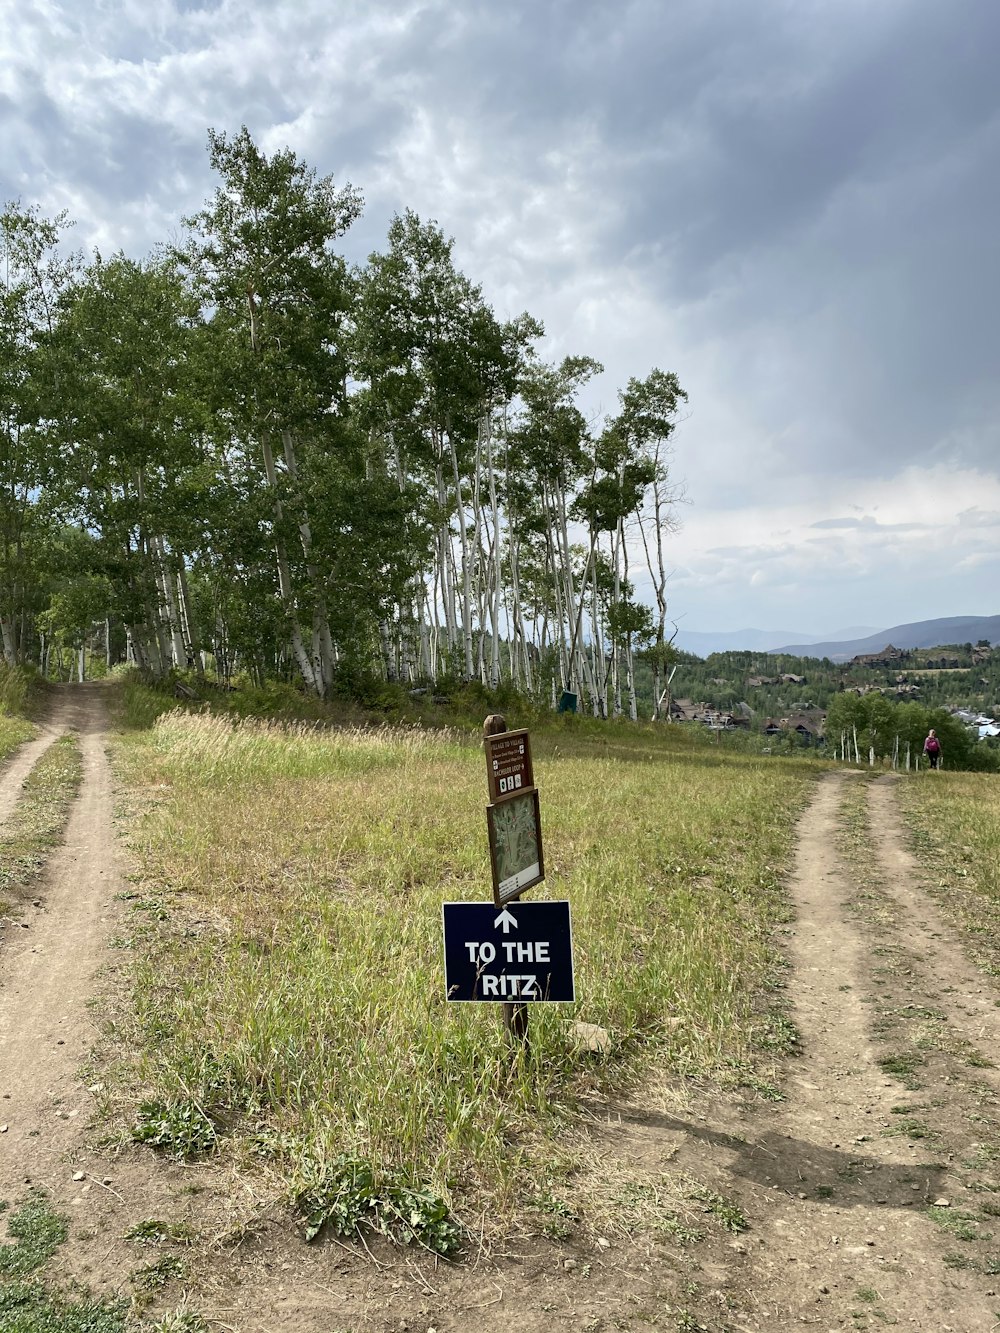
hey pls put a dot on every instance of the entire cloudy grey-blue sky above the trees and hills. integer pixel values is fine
(791, 203)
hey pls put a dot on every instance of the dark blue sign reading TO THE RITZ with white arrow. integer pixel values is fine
(523, 951)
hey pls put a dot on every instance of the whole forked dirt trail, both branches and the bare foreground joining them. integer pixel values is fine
(837, 1199)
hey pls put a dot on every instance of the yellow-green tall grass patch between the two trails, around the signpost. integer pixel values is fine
(298, 984)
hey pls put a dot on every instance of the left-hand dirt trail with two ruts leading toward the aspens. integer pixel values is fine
(49, 976)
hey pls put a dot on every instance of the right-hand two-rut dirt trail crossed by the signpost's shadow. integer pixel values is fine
(837, 1196)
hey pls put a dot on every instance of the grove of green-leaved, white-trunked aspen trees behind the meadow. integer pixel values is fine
(242, 454)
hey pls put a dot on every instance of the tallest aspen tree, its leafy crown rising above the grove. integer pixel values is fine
(262, 258)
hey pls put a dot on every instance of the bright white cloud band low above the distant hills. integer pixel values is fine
(785, 563)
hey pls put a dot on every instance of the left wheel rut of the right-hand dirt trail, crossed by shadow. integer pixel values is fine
(867, 1234)
